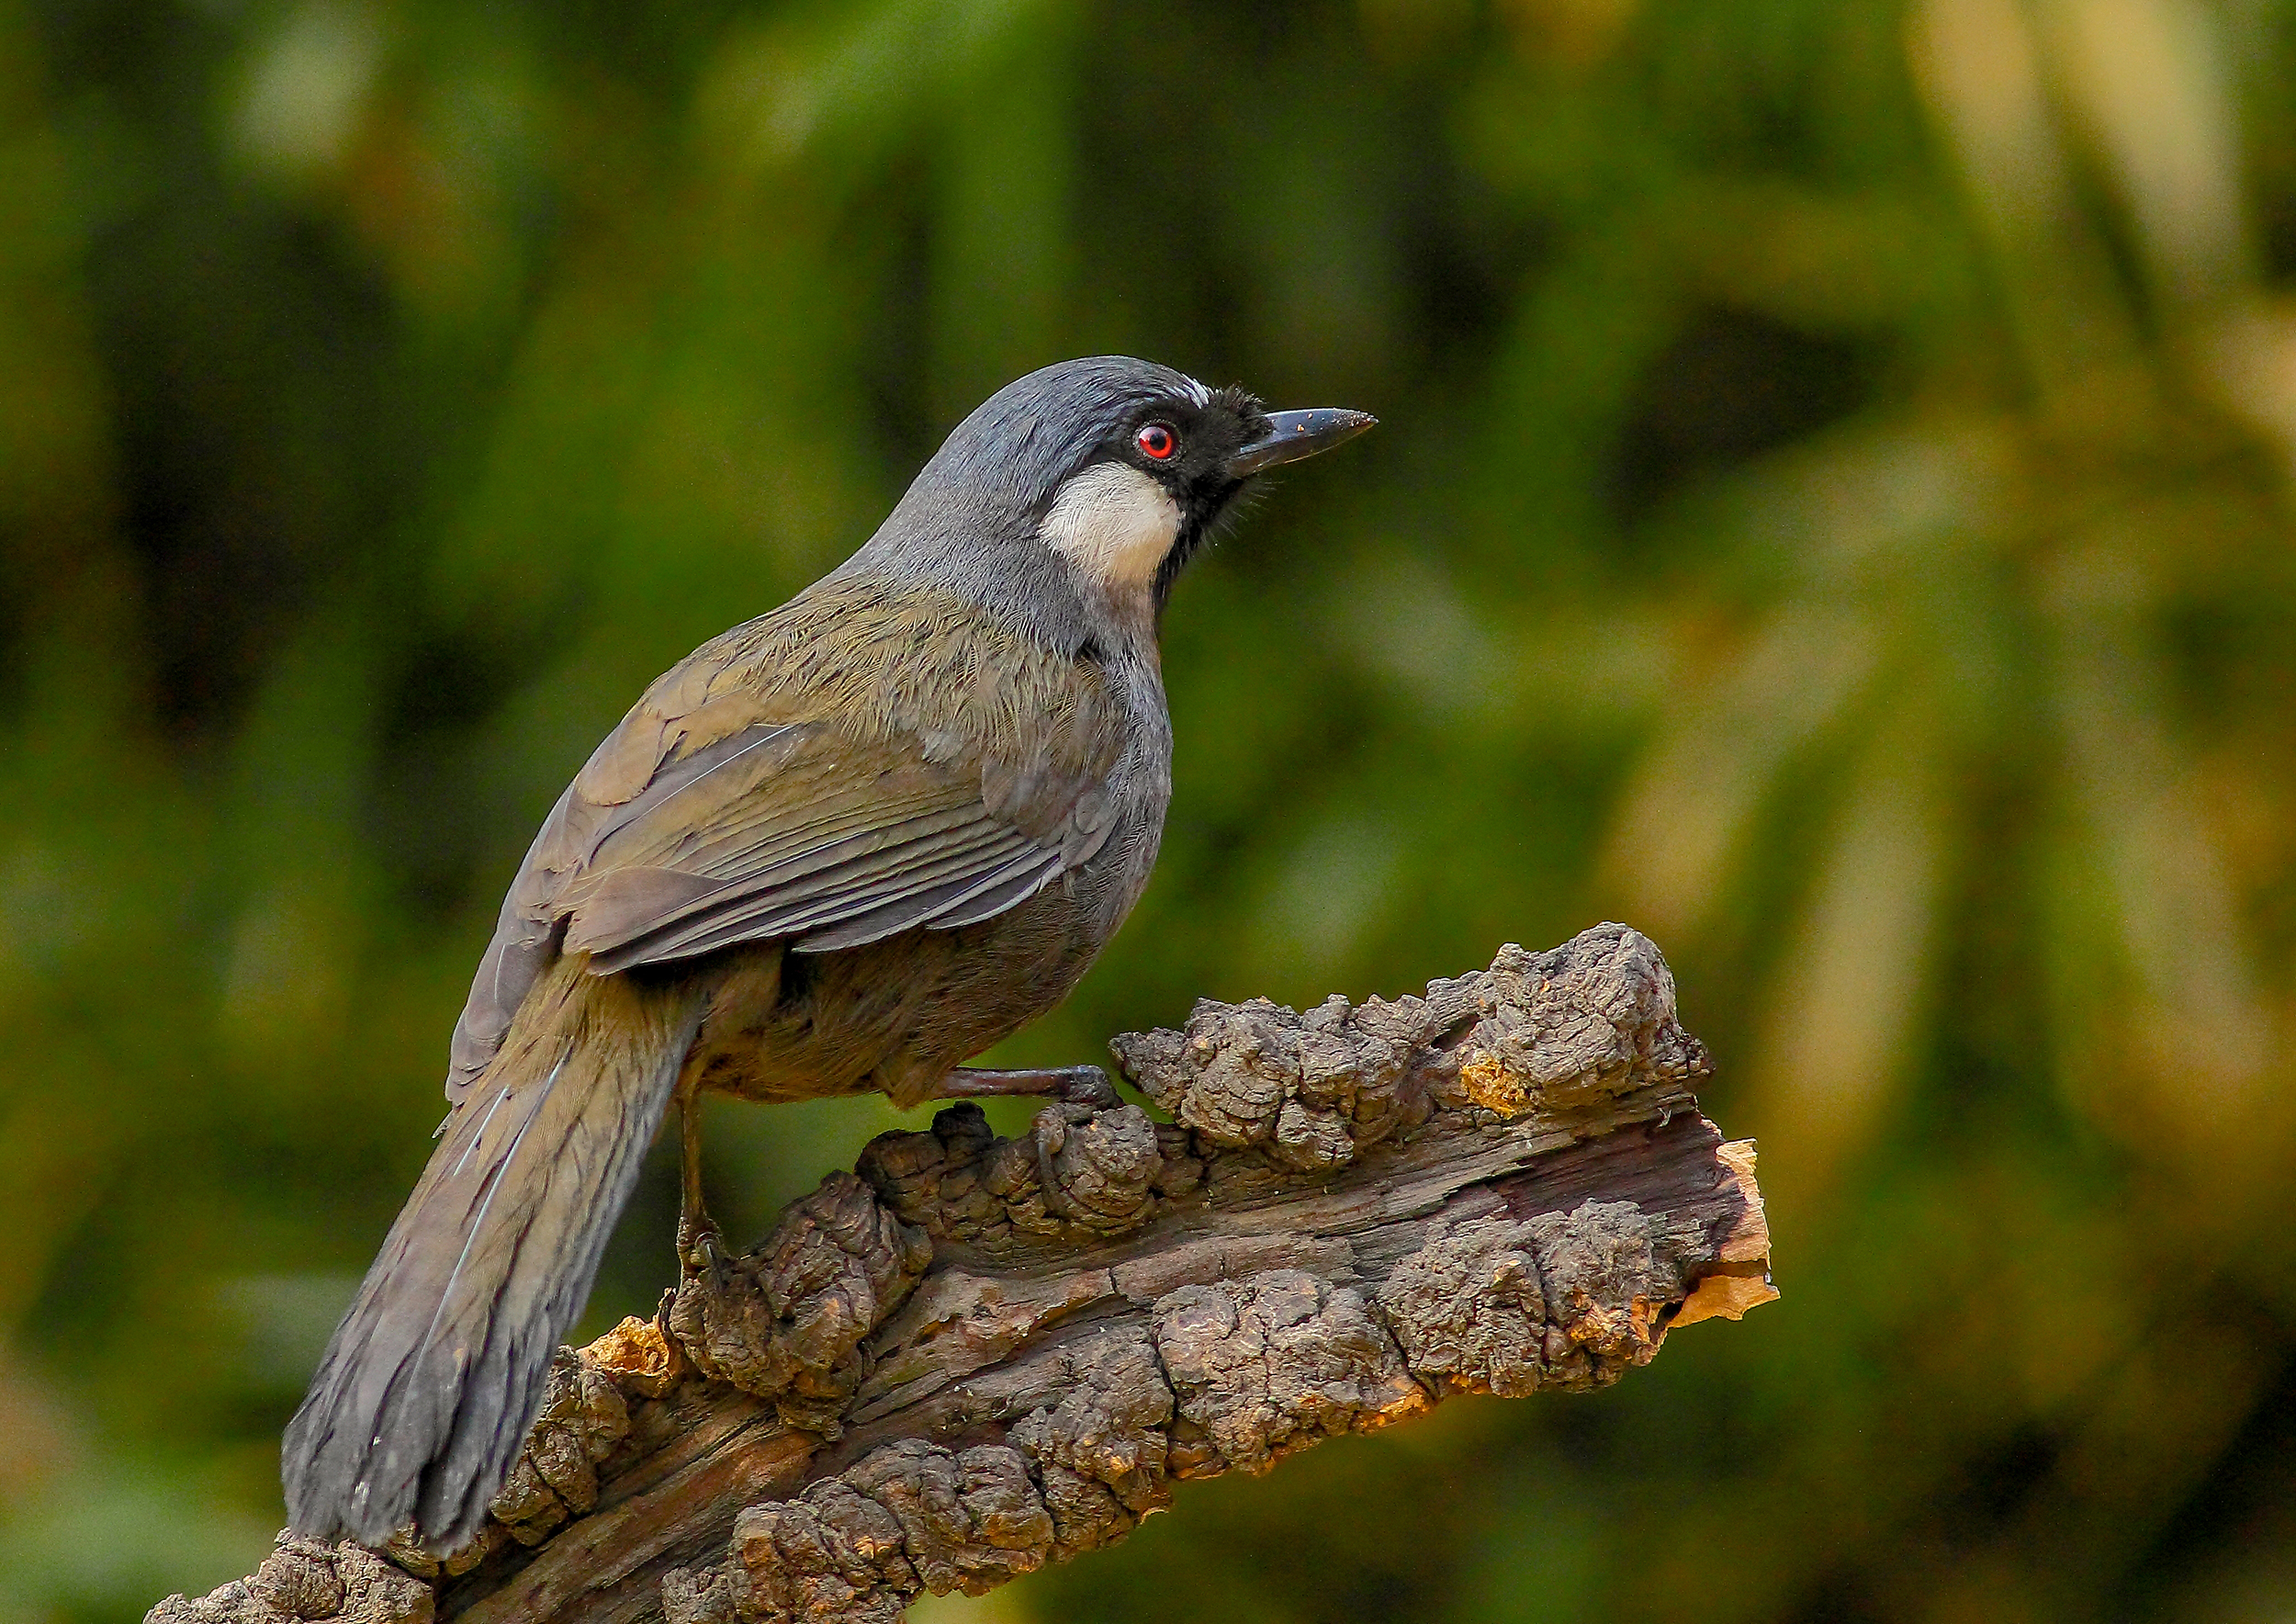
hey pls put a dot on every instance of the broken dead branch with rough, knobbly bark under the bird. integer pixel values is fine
(975, 1356)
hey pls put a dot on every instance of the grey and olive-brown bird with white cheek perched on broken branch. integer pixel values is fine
(839, 849)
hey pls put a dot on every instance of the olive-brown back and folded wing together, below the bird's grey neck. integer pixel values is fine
(731, 803)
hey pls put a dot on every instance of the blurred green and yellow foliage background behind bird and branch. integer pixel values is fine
(1833, 509)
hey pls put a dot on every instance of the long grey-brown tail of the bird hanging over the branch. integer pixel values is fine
(435, 1375)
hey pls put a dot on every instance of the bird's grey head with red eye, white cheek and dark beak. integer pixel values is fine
(1103, 474)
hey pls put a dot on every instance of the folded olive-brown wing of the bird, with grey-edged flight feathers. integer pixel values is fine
(704, 823)
